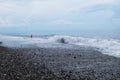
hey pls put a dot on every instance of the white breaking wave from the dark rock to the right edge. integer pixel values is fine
(106, 46)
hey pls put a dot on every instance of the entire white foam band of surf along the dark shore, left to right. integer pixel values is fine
(106, 46)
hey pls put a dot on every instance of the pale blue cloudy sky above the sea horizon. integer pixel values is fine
(59, 16)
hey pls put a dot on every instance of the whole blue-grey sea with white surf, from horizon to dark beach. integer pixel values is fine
(106, 40)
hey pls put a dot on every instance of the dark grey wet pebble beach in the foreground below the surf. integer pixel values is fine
(83, 63)
